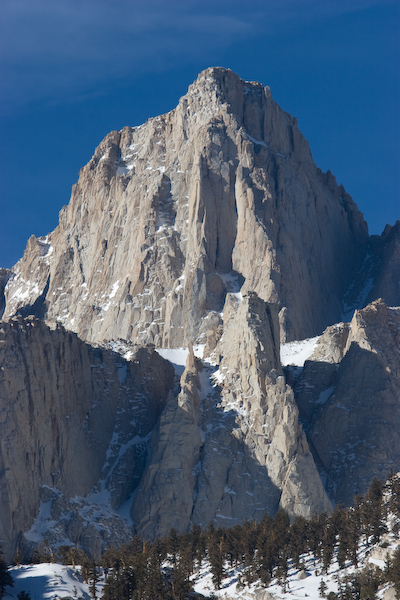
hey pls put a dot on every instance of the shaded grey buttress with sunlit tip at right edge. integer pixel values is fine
(348, 396)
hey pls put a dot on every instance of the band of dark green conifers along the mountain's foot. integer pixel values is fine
(261, 550)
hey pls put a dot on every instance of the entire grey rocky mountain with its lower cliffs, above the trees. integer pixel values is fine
(142, 386)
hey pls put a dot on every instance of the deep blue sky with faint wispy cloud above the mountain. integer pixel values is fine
(73, 70)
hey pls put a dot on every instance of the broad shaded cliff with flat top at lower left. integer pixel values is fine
(74, 419)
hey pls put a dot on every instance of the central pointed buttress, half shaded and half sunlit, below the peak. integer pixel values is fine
(230, 446)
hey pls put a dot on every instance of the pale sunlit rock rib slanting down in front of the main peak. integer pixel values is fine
(253, 385)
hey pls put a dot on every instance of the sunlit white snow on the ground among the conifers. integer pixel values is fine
(54, 581)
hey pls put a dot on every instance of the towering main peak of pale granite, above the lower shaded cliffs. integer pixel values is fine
(223, 184)
